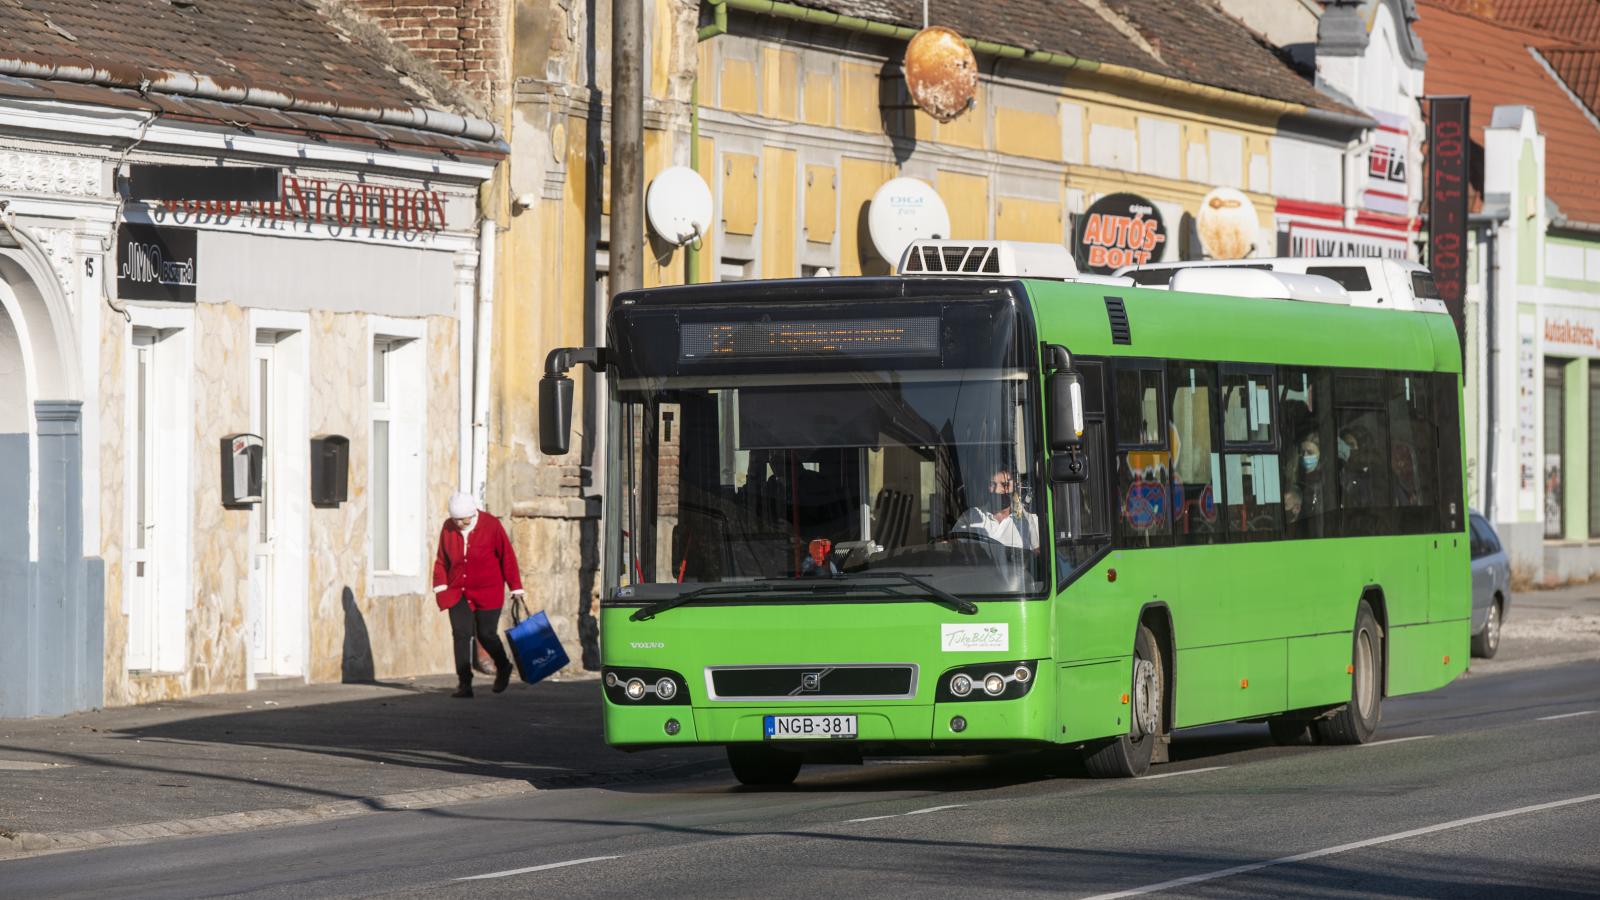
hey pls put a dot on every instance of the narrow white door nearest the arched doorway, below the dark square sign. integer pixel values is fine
(142, 497)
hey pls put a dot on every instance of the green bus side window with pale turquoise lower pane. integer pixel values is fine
(1252, 488)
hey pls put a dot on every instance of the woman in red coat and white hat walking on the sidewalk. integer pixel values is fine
(474, 566)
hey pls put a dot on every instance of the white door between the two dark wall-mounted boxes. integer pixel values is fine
(263, 520)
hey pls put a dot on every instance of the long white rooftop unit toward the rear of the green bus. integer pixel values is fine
(1370, 281)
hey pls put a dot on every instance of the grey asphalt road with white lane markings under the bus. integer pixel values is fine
(1487, 789)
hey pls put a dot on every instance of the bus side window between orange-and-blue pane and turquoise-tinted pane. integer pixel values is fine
(1196, 464)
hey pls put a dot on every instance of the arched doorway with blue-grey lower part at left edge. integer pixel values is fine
(52, 598)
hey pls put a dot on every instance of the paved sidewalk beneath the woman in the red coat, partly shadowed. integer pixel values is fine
(226, 763)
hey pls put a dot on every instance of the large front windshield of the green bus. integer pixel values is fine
(828, 478)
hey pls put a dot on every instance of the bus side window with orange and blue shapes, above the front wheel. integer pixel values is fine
(1143, 462)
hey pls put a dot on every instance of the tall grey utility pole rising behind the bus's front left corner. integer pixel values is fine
(628, 147)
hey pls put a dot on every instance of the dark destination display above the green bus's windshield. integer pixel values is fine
(705, 342)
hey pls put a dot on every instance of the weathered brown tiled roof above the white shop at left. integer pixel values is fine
(302, 68)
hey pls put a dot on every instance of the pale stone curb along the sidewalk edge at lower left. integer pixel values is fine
(22, 845)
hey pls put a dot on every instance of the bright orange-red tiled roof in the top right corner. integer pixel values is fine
(1494, 63)
